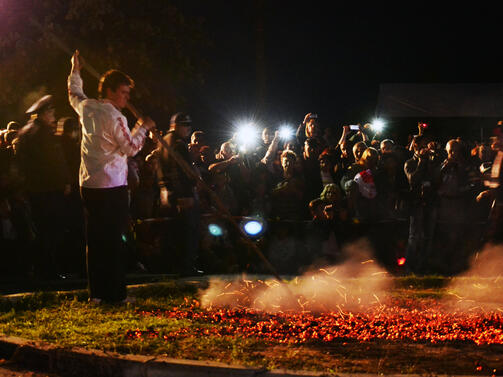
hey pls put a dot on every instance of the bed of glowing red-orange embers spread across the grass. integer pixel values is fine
(391, 322)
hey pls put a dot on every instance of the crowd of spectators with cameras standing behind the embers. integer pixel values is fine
(315, 192)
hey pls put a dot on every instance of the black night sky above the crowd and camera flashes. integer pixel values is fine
(331, 60)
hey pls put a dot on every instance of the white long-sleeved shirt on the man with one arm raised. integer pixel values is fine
(106, 139)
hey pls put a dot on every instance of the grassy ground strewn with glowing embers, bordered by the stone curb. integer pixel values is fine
(414, 329)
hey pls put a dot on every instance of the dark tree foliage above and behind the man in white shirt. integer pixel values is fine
(152, 41)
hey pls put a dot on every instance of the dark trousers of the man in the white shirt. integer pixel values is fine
(107, 216)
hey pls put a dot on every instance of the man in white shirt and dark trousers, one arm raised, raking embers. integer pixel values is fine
(106, 144)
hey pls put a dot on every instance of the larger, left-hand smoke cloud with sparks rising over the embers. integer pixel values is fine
(352, 286)
